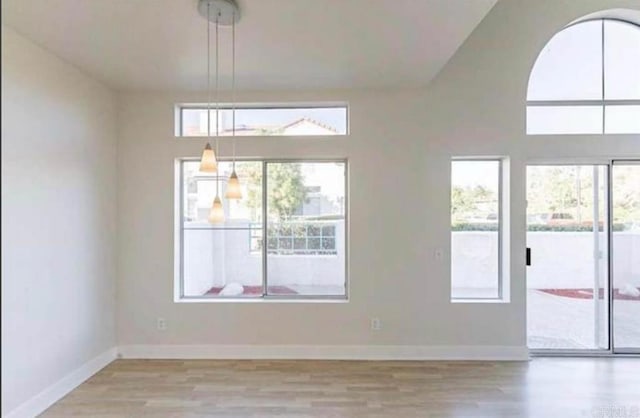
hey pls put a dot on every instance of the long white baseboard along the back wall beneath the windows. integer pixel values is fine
(325, 352)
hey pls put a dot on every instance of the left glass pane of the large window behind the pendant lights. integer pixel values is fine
(222, 260)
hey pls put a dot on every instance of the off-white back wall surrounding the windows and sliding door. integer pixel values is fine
(399, 154)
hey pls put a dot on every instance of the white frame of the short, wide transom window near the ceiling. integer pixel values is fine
(180, 107)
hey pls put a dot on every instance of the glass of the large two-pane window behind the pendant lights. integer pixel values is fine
(285, 239)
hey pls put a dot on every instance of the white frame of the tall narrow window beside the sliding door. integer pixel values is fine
(503, 234)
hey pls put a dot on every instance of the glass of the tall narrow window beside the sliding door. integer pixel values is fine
(475, 247)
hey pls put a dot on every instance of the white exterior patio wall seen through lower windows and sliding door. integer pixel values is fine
(560, 260)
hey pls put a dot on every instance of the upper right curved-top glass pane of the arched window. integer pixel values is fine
(622, 60)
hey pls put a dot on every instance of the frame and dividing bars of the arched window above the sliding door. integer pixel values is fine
(602, 103)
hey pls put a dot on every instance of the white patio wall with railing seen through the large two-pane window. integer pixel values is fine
(214, 258)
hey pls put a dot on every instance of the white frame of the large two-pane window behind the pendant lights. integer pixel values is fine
(179, 192)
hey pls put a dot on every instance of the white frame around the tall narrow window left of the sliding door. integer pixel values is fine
(502, 208)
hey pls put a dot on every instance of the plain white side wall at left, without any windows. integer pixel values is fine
(58, 219)
